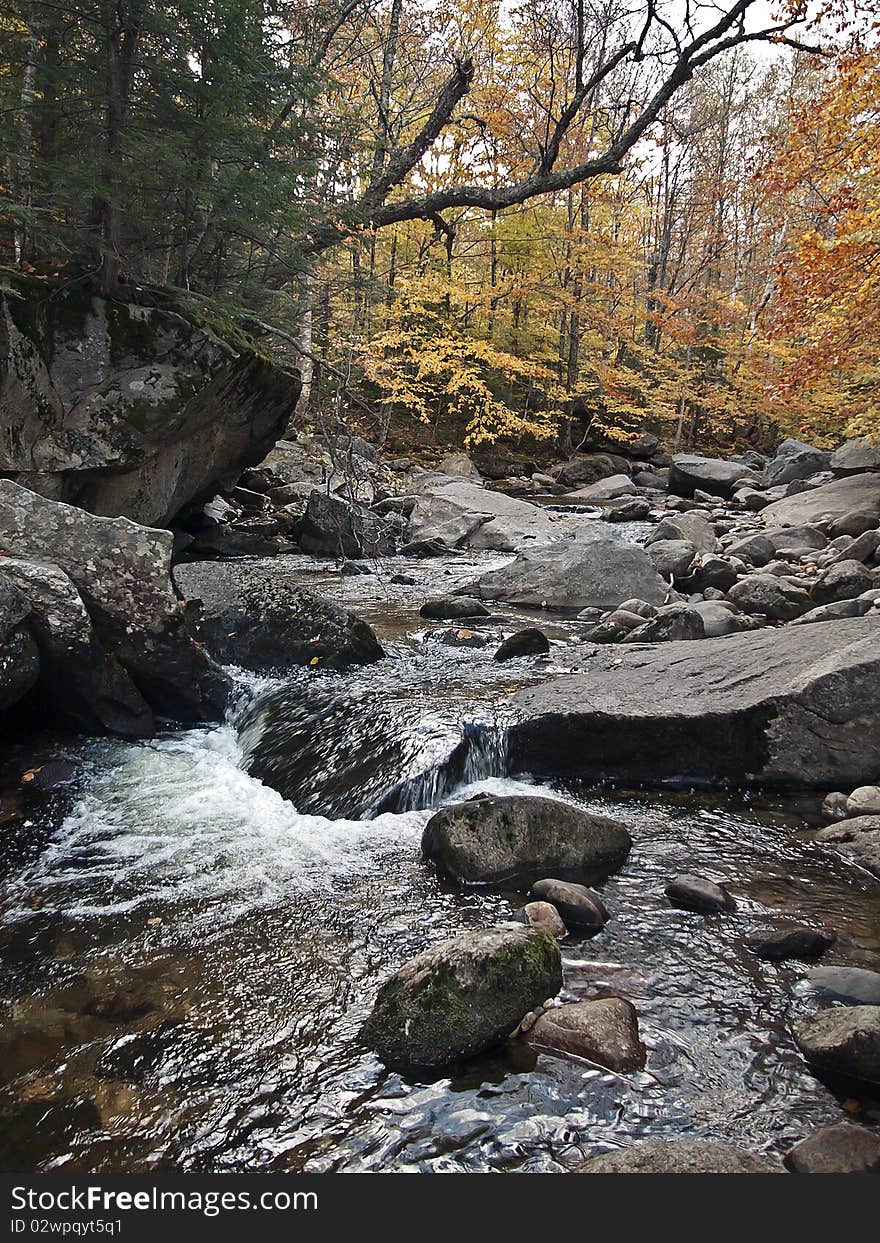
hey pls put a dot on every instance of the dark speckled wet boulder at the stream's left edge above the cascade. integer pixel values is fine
(252, 615)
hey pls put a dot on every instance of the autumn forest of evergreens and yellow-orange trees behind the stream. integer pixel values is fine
(464, 221)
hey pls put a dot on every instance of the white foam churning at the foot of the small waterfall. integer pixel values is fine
(180, 819)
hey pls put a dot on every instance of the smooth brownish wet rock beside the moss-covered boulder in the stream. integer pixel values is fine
(605, 1032)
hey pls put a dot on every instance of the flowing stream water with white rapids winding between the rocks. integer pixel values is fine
(188, 956)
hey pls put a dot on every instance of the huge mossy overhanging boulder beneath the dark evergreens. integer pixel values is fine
(129, 408)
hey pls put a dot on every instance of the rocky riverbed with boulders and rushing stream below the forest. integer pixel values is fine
(199, 919)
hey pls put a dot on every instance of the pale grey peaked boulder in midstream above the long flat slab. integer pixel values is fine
(589, 571)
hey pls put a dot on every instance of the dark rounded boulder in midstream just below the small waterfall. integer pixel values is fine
(506, 838)
